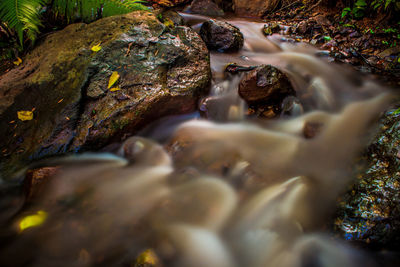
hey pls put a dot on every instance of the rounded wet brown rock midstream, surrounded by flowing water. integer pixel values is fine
(265, 83)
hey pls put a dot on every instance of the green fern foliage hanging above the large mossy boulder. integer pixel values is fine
(23, 16)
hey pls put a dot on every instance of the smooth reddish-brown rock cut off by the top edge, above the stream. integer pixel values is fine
(254, 8)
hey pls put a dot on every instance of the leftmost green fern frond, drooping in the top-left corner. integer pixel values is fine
(22, 16)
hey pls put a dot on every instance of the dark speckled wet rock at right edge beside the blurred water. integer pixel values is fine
(369, 212)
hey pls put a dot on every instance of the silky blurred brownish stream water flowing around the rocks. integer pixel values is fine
(227, 191)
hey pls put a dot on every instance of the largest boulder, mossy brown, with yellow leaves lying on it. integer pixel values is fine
(163, 71)
